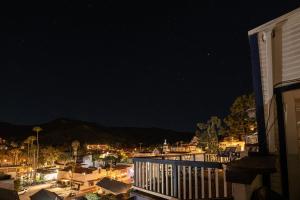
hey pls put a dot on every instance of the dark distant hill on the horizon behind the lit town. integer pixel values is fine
(62, 131)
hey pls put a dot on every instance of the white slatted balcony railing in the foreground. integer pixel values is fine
(181, 179)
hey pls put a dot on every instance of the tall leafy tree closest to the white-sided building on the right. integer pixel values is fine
(238, 123)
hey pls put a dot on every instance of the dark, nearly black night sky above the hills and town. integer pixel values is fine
(123, 63)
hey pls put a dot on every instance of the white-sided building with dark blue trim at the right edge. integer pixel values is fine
(275, 51)
